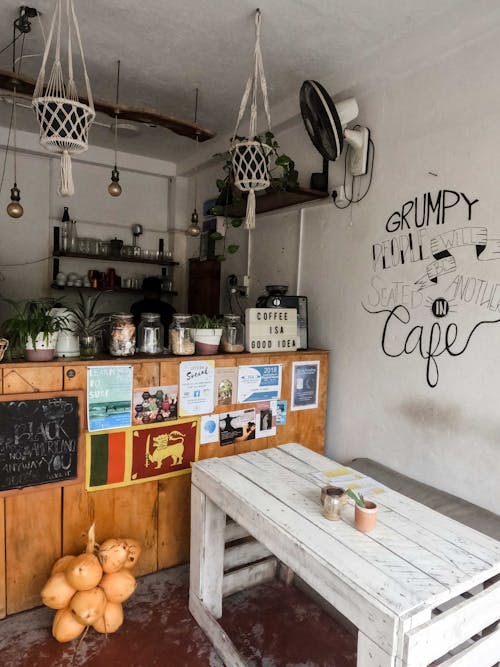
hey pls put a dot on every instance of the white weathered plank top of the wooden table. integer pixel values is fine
(414, 559)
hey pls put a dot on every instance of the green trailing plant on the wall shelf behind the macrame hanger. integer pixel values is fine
(283, 177)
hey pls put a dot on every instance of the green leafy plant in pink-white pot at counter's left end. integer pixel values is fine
(31, 318)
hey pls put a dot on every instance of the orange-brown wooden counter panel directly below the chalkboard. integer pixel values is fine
(33, 543)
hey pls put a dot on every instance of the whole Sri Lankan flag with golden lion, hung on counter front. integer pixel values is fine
(140, 454)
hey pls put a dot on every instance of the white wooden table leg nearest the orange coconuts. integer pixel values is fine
(208, 523)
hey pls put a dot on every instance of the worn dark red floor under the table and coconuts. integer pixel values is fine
(271, 625)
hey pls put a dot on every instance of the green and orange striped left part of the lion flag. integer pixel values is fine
(106, 459)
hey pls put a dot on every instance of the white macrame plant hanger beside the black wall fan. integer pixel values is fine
(250, 158)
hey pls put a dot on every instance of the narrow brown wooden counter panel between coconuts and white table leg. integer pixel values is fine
(173, 520)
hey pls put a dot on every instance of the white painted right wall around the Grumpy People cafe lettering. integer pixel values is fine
(442, 119)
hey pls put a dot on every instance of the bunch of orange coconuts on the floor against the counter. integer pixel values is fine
(88, 590)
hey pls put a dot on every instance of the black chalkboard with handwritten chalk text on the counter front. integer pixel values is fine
(38, 440)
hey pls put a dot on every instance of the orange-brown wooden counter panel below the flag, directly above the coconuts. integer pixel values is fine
(125, 512)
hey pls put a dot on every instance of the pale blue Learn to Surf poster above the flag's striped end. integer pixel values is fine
(109, 397)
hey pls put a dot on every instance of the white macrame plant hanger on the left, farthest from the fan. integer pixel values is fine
(64, 121)
